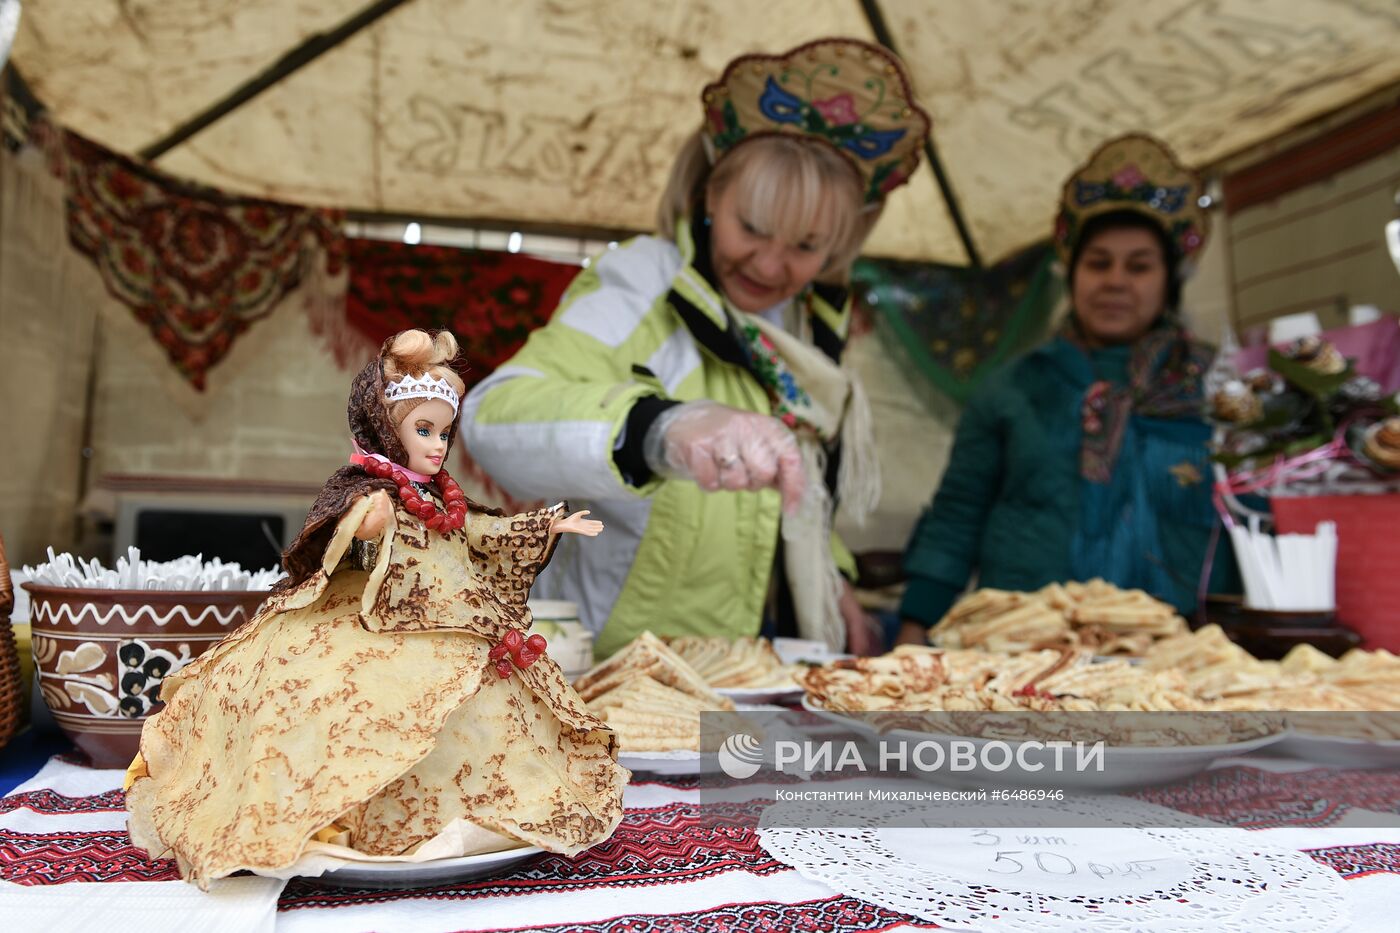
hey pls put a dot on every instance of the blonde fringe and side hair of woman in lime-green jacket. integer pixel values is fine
(786, 184)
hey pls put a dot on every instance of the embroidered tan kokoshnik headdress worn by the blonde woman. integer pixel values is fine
(849, 95)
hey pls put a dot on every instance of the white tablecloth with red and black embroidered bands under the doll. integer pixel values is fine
(674, 865)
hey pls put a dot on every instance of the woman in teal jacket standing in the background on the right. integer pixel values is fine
(1088, 456)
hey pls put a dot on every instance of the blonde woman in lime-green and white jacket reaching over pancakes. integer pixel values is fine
(689, 389)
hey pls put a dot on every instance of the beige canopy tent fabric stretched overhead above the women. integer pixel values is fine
(568, 116)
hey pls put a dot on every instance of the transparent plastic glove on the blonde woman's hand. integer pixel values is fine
(722, 448)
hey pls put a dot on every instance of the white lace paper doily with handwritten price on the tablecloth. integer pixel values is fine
(985, 876)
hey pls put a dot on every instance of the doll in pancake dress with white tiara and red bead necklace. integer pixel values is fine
(390, 693)
